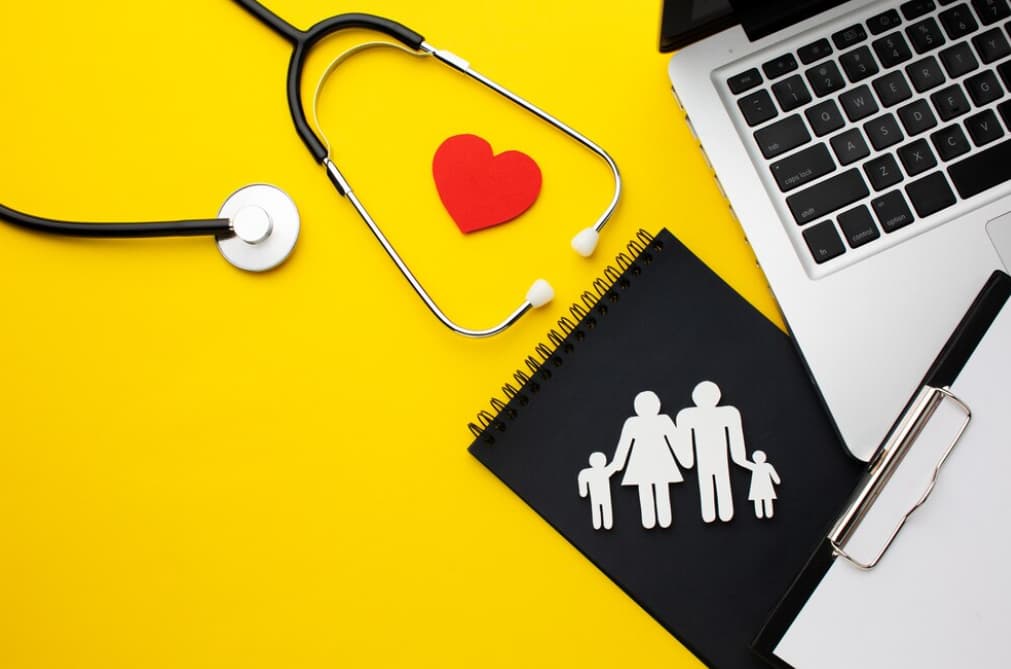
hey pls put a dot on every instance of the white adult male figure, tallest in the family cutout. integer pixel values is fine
(716, 432)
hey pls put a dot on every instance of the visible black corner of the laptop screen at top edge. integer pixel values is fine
(686, 22)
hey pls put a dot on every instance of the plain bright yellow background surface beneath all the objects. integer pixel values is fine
(202, 467)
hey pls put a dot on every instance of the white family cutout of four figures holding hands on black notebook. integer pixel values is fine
(652, 447)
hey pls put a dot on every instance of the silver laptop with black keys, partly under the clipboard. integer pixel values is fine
(866, 149)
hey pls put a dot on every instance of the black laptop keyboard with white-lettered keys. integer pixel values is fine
(879, 126)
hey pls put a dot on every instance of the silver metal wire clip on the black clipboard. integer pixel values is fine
(902, 438)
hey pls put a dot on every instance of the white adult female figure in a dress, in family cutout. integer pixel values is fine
(650, 450)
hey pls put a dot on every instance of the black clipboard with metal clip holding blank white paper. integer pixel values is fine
(910, 572)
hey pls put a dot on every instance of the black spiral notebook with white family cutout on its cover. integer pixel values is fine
(671, 433)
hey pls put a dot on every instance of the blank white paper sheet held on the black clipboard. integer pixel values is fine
(942, 597)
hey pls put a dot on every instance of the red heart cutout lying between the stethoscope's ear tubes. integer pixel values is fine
(481, 189)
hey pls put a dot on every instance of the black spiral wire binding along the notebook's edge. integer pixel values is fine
(582, 318)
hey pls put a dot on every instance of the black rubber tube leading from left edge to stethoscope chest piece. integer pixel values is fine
(195, 228)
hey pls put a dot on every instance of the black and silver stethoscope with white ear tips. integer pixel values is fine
(258, 226)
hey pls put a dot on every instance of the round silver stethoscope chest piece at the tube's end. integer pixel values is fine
(265, 224)
